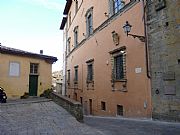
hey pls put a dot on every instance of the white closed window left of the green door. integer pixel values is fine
(14, 69)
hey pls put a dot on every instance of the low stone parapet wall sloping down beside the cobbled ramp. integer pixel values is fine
(73, 107)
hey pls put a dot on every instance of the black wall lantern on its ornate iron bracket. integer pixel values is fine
(127, 29)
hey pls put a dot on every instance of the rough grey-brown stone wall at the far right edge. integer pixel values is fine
(163, 26)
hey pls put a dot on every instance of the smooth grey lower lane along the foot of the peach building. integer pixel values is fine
(124, 126)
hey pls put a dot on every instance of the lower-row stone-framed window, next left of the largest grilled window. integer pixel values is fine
(90, 70)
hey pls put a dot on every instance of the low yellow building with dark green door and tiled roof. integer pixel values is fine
(22, 71)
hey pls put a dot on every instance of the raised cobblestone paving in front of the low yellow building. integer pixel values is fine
(40, 117)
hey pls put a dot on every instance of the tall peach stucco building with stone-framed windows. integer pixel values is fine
(106, 70)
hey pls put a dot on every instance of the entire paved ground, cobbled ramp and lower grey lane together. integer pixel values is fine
(43, 117)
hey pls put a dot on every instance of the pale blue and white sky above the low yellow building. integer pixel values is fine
(33, 25)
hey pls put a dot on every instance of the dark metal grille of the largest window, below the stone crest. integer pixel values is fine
(118, 67)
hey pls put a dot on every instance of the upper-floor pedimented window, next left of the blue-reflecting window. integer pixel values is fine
(89, 21)
